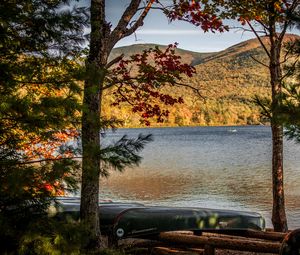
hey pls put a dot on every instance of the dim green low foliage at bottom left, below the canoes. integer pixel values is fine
(52, 236)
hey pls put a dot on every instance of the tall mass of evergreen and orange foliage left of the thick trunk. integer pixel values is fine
(40, 42)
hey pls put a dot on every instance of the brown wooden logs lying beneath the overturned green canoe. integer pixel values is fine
(207, 243)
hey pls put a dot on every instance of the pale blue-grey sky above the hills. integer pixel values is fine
(158, 30)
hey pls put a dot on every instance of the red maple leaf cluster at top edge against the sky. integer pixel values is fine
(194, 13)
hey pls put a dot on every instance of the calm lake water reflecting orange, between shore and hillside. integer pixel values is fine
(212, 167)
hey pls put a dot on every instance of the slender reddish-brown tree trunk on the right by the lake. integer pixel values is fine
(278, 214)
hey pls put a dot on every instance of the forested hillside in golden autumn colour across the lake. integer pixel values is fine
(228, 82)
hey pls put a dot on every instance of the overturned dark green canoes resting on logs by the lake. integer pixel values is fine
(123, 220)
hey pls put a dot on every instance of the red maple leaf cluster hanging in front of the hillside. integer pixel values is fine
(140, 80)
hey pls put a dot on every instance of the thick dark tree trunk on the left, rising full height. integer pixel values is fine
(95, 73)
